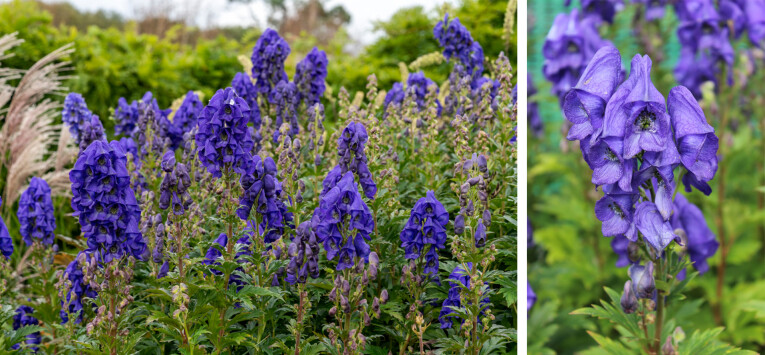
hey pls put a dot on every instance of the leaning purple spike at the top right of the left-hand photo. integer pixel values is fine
(457, 42)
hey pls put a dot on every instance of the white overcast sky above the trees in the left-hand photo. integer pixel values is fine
(221, 12)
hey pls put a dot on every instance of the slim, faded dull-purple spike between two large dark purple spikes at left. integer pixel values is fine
(175, 185)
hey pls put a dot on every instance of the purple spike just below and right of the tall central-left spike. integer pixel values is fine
(263, 190)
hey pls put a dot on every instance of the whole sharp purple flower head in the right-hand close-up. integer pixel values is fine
(633, 141)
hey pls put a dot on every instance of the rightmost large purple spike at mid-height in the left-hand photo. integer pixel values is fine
(425, 232)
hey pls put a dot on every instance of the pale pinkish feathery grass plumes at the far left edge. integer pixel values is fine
(28, 130)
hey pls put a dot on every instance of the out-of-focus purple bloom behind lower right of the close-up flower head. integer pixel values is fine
(701, 243)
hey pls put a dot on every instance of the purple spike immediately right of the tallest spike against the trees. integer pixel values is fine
(310, 75)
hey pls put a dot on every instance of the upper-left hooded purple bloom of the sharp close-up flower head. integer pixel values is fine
(585, 104)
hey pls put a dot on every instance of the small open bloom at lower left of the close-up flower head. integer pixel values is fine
(617, 212)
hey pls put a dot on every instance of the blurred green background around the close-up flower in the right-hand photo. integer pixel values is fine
(570, 262)
